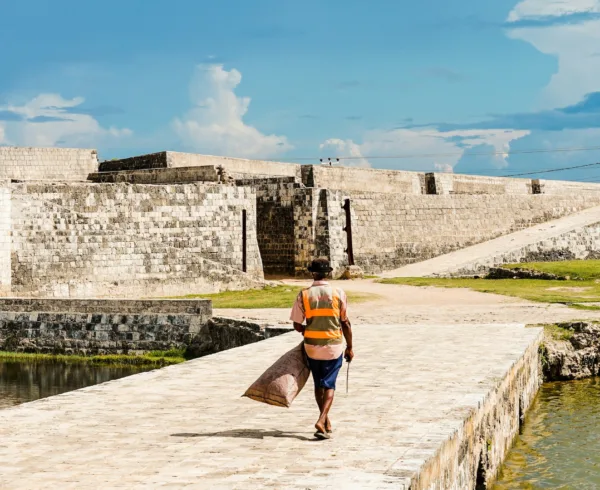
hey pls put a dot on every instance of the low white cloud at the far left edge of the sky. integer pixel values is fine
(50, 120)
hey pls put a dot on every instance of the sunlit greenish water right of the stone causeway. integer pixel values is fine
(559, 446)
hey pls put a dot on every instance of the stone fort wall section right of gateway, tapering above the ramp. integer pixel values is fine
(393, 230)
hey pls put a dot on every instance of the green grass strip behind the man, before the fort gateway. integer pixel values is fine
(269, 297)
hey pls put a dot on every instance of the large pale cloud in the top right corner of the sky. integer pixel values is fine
(575, 46)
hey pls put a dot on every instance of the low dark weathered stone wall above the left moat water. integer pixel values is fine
(99, 326)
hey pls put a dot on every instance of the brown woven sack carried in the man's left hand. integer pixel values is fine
(280, 384)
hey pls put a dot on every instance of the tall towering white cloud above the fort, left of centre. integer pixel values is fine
(215, 123)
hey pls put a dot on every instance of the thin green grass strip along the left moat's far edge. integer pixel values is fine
(155, 358)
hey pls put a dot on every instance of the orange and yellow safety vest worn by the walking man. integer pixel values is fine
(322, 312)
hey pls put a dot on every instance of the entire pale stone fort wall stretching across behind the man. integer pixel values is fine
(171, 223)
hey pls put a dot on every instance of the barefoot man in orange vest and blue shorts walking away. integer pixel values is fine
(325, 310)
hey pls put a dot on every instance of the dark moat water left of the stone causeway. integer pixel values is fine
(22, 382)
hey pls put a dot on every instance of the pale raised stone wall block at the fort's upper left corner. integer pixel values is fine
(67, 164)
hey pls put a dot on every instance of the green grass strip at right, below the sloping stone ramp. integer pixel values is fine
(565, 292)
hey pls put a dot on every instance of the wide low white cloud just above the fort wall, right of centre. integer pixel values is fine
(426, 148)
